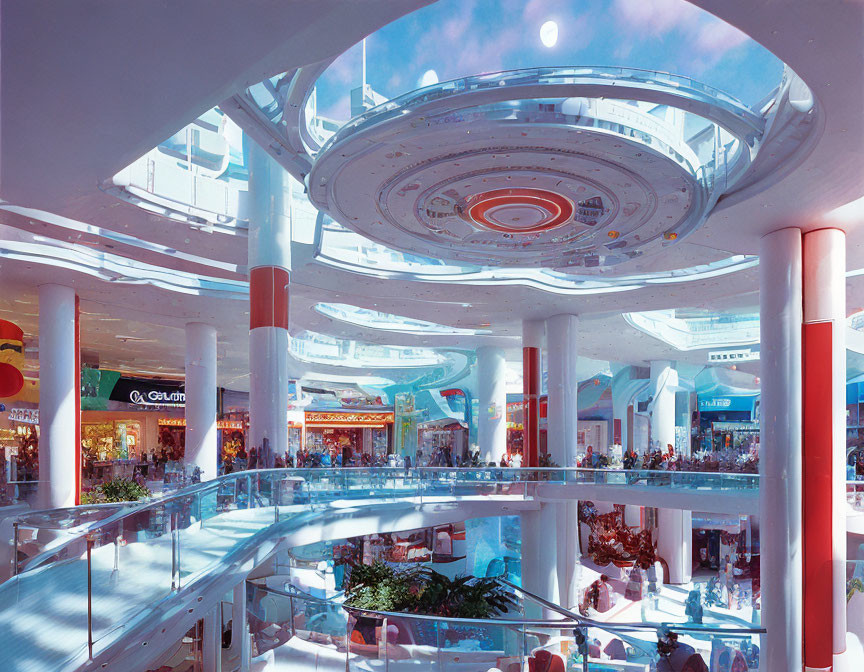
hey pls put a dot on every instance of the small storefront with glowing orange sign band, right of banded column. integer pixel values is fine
(349, 437)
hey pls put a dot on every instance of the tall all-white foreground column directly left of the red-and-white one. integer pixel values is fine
(780, 448)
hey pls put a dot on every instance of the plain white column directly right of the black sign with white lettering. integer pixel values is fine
(201, 440)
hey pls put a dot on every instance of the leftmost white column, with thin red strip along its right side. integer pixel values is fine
(57, 391)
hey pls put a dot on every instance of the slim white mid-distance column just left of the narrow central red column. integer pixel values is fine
(492, 403)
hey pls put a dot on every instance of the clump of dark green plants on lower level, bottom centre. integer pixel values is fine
(421, 590)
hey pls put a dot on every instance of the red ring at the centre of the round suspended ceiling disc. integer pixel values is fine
(519, 210)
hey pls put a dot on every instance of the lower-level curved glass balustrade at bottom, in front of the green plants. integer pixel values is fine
(308, 633)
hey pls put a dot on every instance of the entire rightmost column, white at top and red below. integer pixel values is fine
(823, 430)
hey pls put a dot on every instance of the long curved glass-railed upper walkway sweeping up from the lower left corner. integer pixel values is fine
(101, 578)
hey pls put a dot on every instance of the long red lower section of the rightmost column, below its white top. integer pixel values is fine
(817, 353)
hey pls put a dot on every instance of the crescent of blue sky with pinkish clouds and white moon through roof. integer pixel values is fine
(458, 38)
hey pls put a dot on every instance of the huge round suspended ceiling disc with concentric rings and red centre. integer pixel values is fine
(530, 182)
